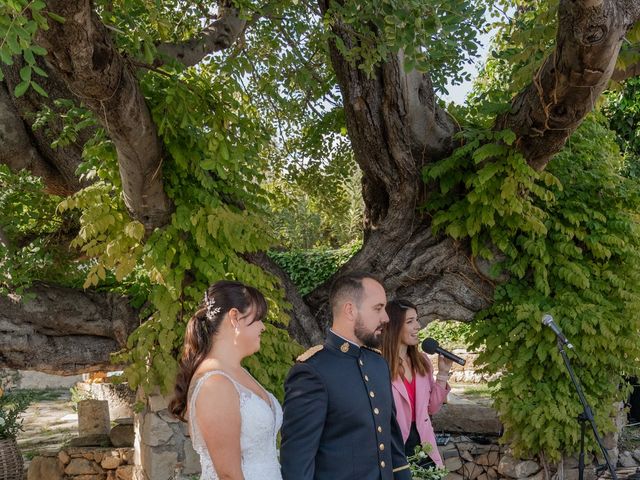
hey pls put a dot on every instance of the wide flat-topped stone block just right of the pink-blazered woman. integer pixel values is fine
(468, 419)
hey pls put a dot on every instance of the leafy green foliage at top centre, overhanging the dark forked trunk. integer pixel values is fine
(435, 36)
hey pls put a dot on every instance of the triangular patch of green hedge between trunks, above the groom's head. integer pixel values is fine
(309, 269)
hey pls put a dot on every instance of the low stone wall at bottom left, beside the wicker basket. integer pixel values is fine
(83, 464)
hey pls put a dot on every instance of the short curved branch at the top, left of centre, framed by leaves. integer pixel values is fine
(219, 35)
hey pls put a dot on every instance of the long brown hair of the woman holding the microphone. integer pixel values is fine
(397, 311)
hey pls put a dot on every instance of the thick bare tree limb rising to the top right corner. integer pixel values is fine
(566, 87)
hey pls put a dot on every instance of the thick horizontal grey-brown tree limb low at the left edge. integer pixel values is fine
(63, 331)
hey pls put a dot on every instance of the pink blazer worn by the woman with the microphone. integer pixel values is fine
(429, 398)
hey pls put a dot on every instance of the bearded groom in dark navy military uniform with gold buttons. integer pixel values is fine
(339, 418)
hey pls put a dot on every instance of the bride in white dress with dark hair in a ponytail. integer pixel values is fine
(233, 419)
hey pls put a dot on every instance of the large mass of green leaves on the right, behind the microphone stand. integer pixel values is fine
(568, 239)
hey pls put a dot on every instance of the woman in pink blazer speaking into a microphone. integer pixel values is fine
(416, 393)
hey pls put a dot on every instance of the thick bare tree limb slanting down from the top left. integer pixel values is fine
(82, 52)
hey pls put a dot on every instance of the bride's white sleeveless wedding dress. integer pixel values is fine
(259, 427)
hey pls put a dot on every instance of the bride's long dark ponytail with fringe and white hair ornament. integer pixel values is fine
(202, 328)
